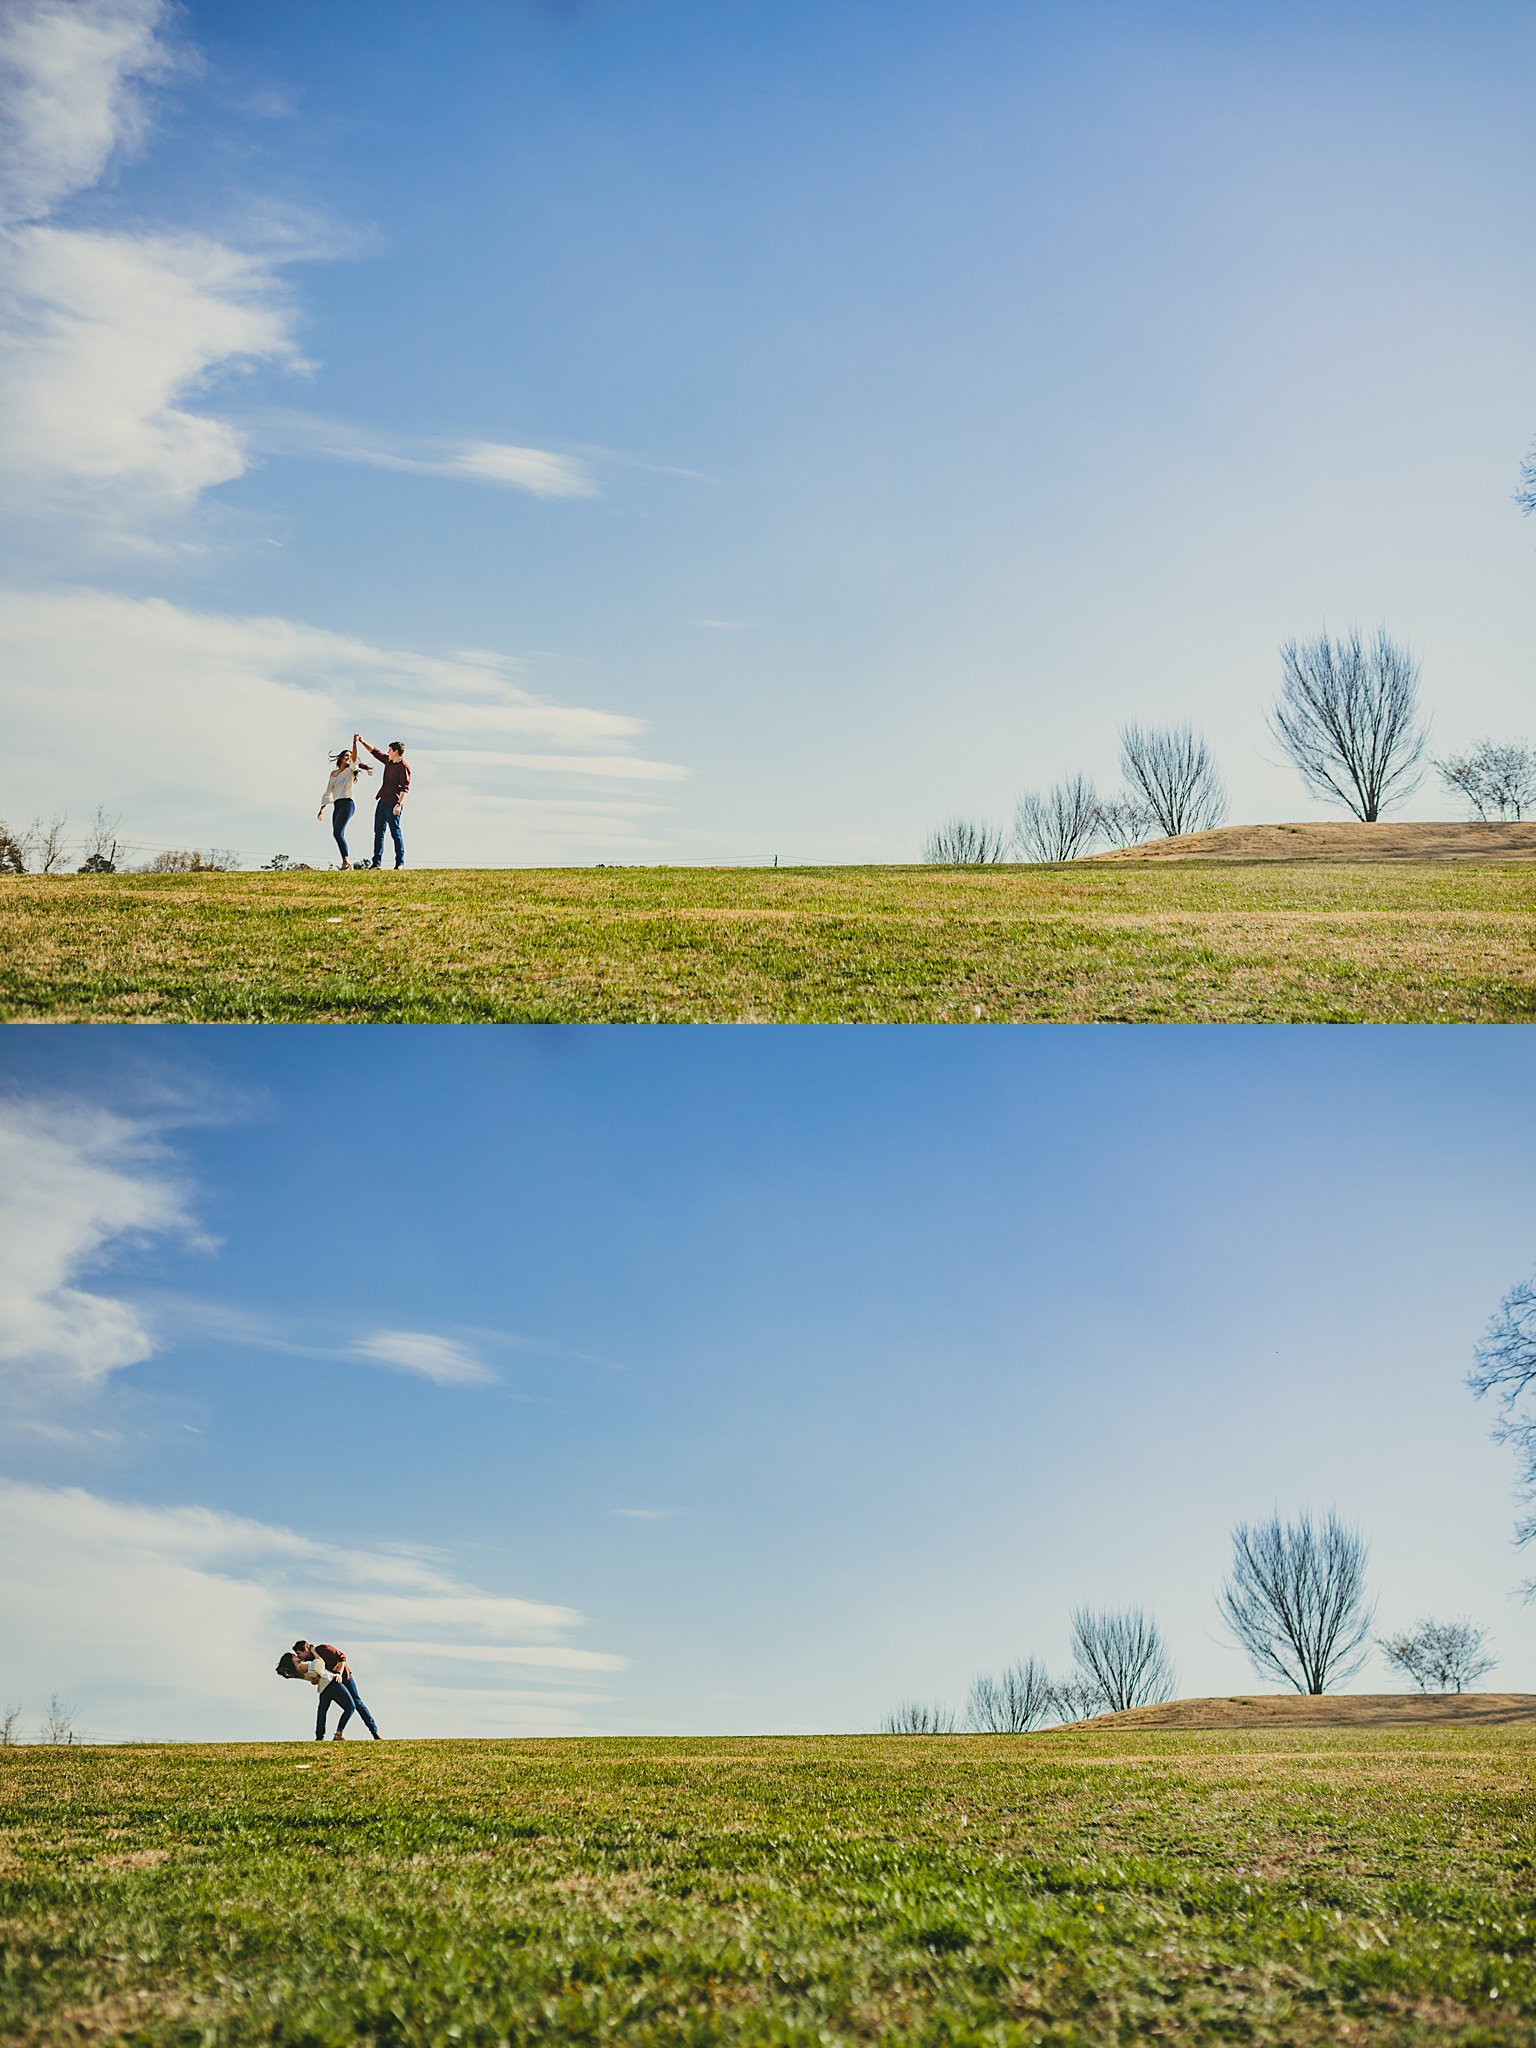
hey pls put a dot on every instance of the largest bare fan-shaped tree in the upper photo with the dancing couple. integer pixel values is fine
(1349, 718)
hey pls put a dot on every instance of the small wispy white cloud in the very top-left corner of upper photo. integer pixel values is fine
(69, 93)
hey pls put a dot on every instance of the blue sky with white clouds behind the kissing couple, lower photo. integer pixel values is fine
(710, 1381)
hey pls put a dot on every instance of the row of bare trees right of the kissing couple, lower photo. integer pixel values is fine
(1295, 1601)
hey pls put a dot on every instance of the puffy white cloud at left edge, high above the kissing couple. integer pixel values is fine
(77, 1187)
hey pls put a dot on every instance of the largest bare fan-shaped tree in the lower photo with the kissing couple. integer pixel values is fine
(1297, 1601)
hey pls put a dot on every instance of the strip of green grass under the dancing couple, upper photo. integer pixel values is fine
(1136, 943)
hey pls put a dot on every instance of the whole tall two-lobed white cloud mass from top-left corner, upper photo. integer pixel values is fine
(105, 337)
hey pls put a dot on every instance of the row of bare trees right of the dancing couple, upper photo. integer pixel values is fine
(1347, 718)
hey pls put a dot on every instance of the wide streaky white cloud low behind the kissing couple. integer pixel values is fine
(169, 1623)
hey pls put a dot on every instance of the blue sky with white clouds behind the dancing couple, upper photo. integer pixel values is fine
(724, 433)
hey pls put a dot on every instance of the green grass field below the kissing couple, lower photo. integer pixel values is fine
(1072, 1889)
